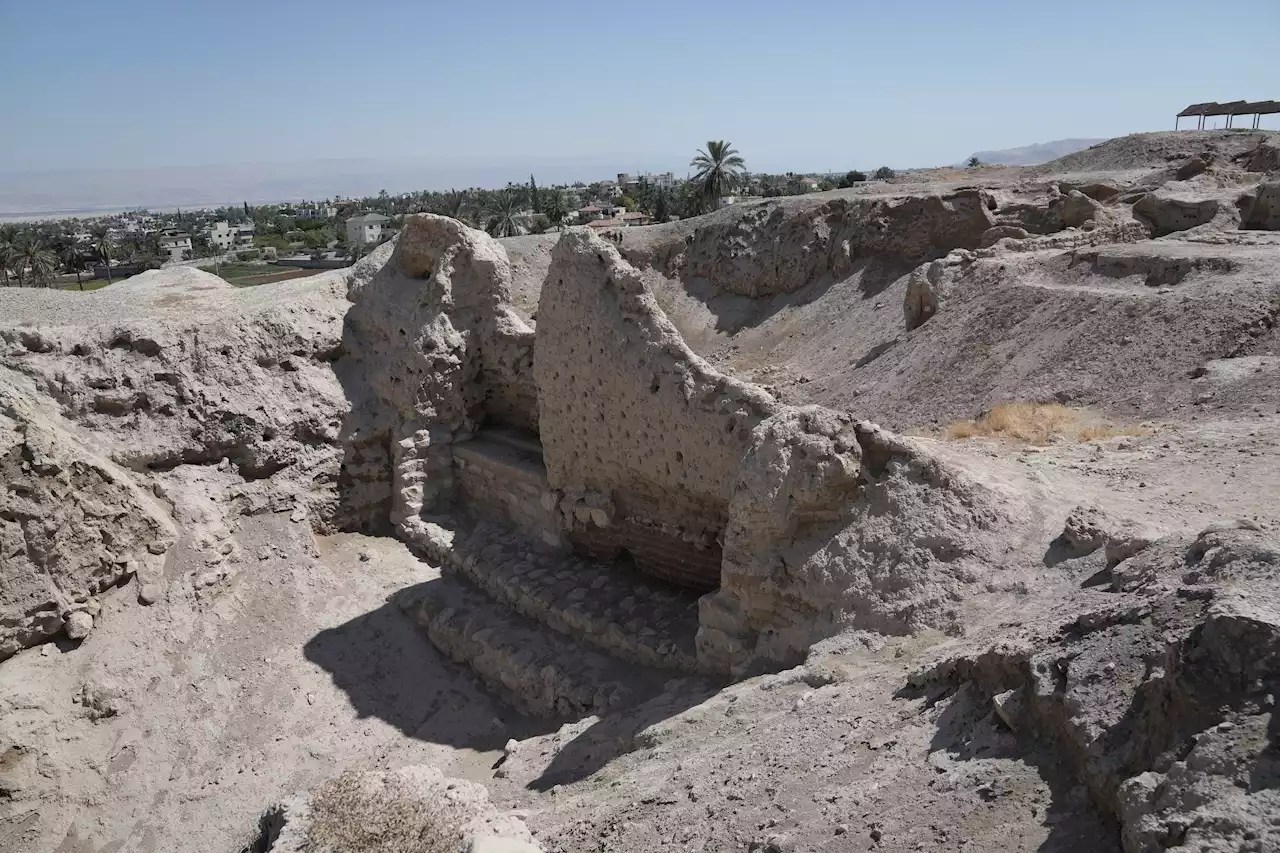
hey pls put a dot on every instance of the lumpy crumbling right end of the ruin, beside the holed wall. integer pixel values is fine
(839, 524)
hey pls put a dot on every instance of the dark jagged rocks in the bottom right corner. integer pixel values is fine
(1160, 701)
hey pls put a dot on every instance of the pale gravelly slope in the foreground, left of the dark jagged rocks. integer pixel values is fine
(852, 765)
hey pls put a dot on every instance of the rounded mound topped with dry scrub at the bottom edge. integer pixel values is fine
(412, 809)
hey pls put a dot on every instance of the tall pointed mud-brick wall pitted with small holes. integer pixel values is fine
(641, 436)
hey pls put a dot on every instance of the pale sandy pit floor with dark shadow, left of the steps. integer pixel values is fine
(286, 673)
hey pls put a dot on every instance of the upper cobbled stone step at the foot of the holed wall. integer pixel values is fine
(602, 605)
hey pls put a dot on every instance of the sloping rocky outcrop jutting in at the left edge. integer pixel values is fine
(72, 526)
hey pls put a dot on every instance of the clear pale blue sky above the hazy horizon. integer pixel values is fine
(804, 85)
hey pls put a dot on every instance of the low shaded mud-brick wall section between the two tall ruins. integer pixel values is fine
(510, 486)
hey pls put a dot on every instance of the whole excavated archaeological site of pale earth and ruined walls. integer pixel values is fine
(934, 514)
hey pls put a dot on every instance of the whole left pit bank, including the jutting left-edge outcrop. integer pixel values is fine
(100, 393)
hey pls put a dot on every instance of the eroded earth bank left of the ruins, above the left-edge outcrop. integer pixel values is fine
(179, 368)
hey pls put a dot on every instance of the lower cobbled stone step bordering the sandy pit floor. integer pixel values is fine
(542, 673)
